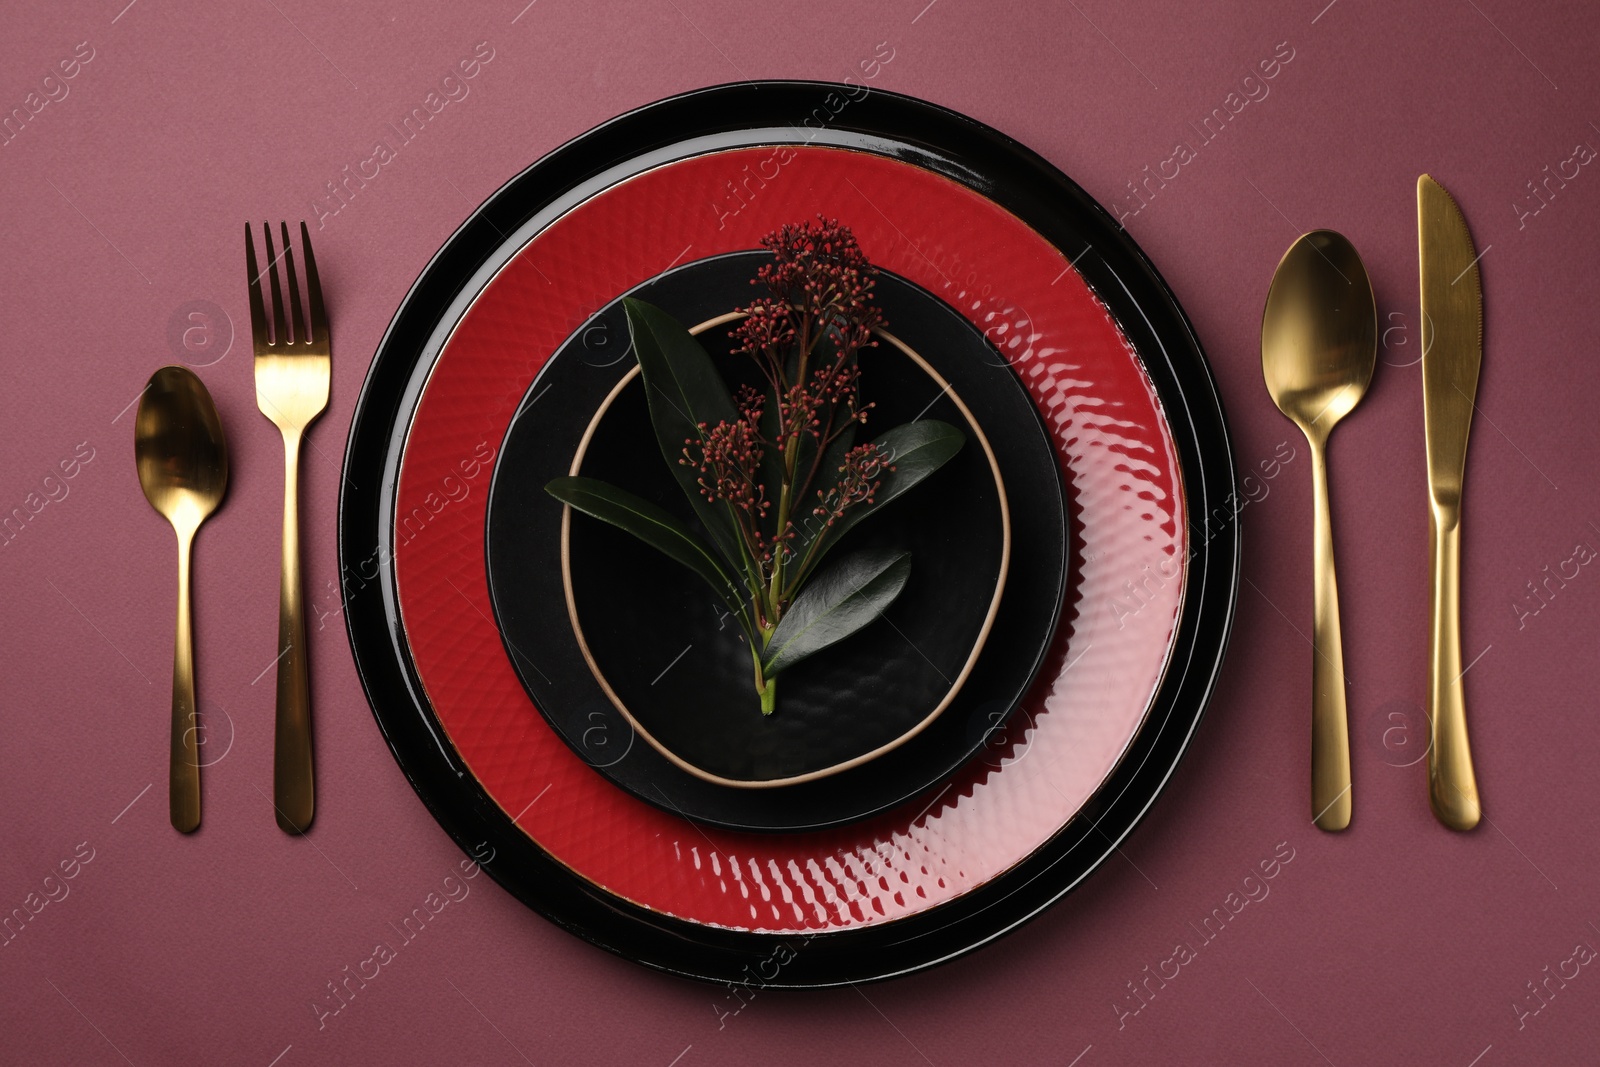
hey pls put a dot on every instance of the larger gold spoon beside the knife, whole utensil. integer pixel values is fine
(1319, 345)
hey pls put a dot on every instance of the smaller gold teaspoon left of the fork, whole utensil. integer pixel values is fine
(183, 468)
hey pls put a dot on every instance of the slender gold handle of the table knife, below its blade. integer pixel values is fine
(1452, 786)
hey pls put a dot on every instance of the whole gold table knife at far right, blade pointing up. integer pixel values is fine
(1452, 354)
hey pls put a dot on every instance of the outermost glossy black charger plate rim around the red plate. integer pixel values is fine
(946, 143)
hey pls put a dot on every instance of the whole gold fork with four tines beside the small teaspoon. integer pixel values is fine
(292, 390)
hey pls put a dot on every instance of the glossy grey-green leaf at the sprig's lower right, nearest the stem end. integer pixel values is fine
(838, 604)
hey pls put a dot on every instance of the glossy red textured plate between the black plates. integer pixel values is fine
(1118, 457)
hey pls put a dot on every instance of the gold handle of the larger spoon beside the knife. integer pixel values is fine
(1330, 735)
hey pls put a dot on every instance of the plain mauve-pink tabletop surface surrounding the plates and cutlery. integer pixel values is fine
(1394, 943)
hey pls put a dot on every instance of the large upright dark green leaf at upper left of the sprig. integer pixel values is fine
(684, 391)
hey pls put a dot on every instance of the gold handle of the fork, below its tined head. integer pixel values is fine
(294, 794)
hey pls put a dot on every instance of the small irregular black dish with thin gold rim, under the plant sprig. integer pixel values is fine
(681, 668)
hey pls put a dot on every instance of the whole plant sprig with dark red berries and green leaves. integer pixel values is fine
(775, 476)
